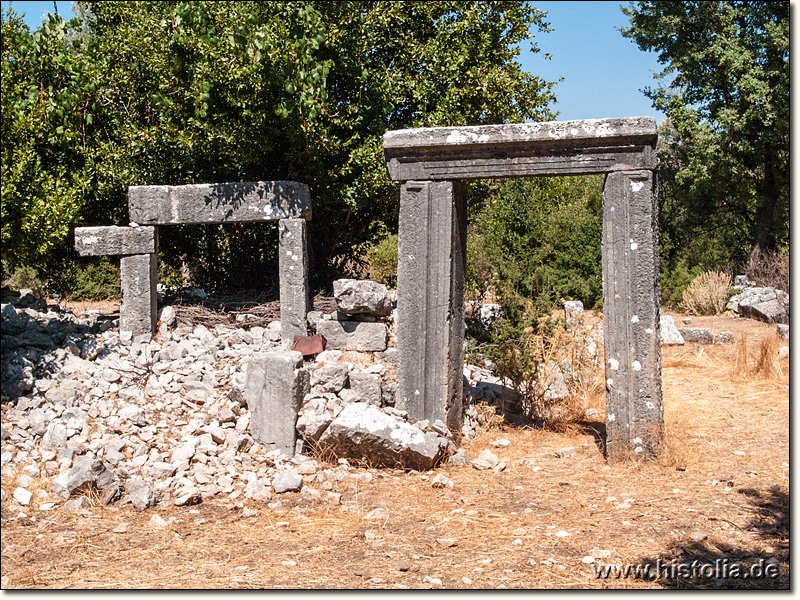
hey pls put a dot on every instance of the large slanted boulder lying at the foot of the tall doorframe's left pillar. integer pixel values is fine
(363, 432)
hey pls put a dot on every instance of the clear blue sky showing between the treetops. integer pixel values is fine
(602, 72)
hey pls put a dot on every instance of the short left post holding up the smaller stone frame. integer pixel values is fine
(138, 306)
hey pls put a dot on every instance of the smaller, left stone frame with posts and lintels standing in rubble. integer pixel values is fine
(287, 202)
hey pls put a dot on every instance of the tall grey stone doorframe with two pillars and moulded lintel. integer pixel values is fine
(432, 164)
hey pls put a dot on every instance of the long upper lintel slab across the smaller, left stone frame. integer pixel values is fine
(218, 202)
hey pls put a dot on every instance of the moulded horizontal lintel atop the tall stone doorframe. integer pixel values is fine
(521, 149)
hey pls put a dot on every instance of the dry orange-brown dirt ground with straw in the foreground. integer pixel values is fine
(720, 492)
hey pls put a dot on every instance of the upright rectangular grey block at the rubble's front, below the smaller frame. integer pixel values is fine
(274, 390)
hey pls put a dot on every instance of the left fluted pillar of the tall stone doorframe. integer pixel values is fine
(430, 300)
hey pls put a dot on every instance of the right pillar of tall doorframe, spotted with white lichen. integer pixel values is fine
(631, 295)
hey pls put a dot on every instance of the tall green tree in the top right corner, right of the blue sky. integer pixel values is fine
(726, 92)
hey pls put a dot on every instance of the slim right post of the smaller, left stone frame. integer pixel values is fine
(294, 288)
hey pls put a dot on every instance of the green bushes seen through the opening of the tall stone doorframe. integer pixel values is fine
(537, 242)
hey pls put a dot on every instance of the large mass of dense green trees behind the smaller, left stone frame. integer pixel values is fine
(136, 93)
